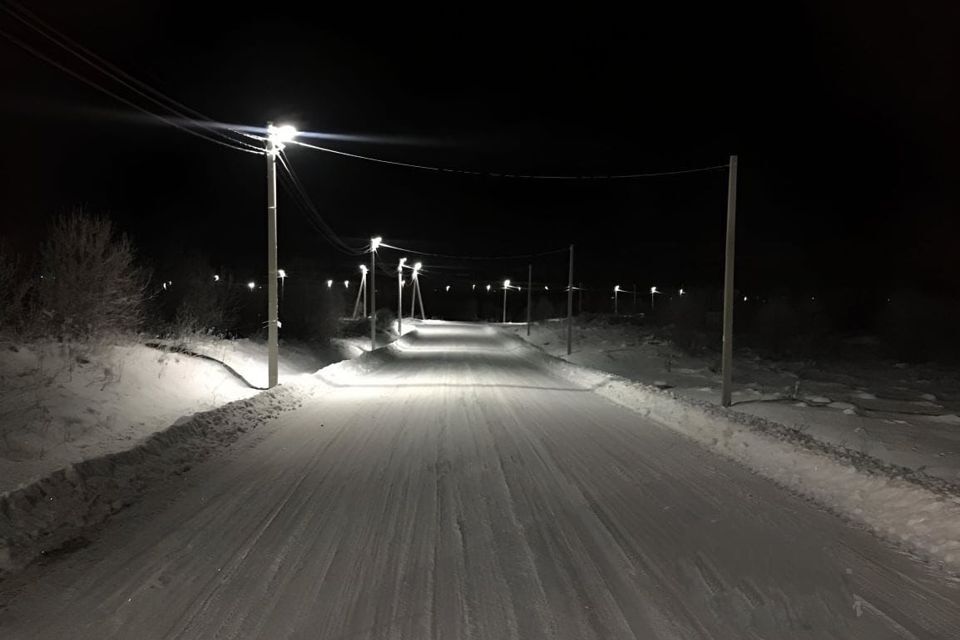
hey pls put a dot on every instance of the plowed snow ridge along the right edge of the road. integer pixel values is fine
(919, 511)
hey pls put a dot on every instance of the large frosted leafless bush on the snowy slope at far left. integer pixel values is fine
(91, 284)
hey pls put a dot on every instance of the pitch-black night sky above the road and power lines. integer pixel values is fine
(846, 120)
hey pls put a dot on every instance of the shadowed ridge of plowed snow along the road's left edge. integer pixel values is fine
(50, 513)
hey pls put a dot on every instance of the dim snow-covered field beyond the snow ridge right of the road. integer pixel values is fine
(903, 415)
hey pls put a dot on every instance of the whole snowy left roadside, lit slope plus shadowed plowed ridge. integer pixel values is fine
(86, 429)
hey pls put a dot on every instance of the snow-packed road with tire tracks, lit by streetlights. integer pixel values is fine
(462, 491)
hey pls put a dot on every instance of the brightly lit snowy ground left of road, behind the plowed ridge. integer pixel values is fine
(60, 404)
